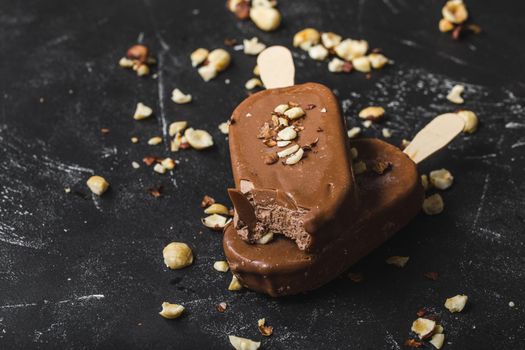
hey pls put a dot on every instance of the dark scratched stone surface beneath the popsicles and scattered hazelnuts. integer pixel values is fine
(78, 272)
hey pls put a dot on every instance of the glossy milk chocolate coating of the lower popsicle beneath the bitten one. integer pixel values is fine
(385, 203)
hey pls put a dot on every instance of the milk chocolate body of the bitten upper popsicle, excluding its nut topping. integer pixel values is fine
(317, 196)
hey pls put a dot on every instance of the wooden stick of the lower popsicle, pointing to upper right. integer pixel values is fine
(434, 136)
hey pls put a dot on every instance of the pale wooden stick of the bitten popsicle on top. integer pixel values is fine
(276, 67)
